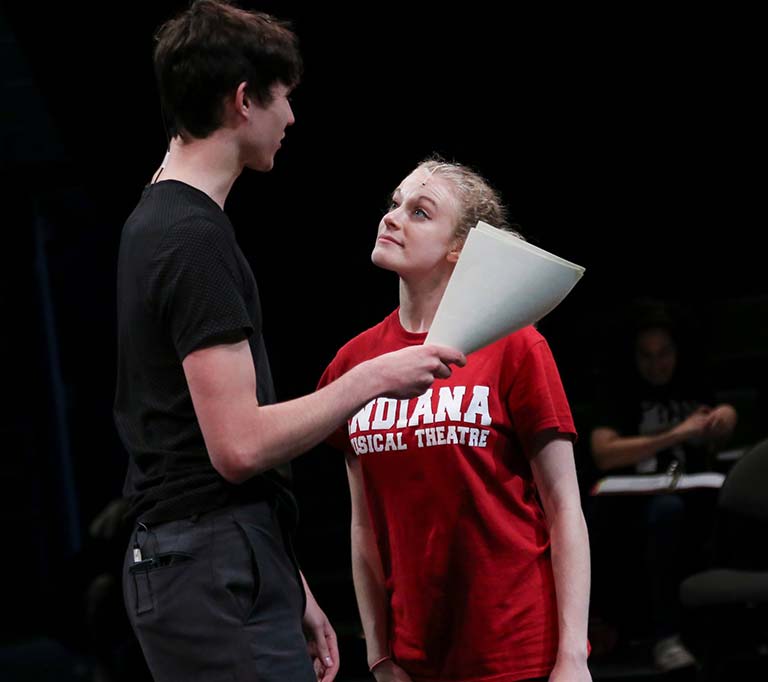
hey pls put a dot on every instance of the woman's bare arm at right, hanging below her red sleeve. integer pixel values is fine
(554, 472)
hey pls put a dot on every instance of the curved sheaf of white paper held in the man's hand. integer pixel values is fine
(501, 283)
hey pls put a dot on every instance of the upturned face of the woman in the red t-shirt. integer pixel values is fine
(417, 235)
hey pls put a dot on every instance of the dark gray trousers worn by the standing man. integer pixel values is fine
(218, 598)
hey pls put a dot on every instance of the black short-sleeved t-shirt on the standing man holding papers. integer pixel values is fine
(182, 284)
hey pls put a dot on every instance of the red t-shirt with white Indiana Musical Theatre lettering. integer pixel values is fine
(460, 530)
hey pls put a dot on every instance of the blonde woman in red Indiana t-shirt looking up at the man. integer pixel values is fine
(469, 547)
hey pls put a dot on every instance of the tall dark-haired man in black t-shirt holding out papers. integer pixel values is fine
(211, 585)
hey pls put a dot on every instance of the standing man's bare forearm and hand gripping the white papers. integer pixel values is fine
(244, 438)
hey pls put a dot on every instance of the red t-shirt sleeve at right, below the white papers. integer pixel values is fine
(536, 398)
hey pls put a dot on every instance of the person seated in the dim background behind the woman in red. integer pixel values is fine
(658, 421)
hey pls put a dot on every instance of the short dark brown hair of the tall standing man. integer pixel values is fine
(204, 53)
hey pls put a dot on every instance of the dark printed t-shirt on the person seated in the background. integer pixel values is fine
(642, 409)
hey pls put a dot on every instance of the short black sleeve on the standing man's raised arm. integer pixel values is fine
(196, 287)
